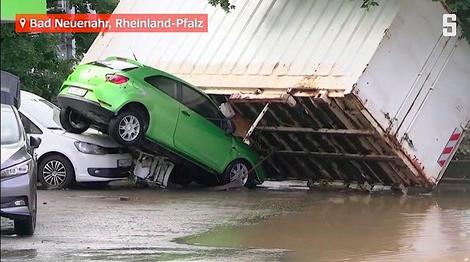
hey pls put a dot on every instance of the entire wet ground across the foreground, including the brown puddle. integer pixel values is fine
(278, 223)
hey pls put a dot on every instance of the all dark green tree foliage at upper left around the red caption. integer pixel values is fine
(34, 58)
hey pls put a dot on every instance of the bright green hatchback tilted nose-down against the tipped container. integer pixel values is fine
(136, 105)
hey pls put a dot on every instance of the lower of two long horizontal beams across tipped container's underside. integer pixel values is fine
(345, 156)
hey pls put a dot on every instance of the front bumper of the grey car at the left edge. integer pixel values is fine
(16, 195)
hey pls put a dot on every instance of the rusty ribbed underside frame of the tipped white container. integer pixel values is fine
(322, 138)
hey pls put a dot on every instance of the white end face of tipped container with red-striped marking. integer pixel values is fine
(417, 86)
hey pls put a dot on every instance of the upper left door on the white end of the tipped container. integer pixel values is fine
(412, 49)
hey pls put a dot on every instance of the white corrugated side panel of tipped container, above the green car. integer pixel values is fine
(260, 44)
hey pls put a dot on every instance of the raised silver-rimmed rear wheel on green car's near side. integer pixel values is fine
(128, 127)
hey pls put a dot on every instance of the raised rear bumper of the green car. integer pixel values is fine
(90, 109)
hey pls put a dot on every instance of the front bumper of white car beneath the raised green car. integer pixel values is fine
(97, 168)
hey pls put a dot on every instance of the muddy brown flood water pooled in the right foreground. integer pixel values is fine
(359, 228)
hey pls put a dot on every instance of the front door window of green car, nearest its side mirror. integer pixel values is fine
(200, 104)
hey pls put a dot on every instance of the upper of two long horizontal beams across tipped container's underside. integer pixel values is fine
(325, 131)
